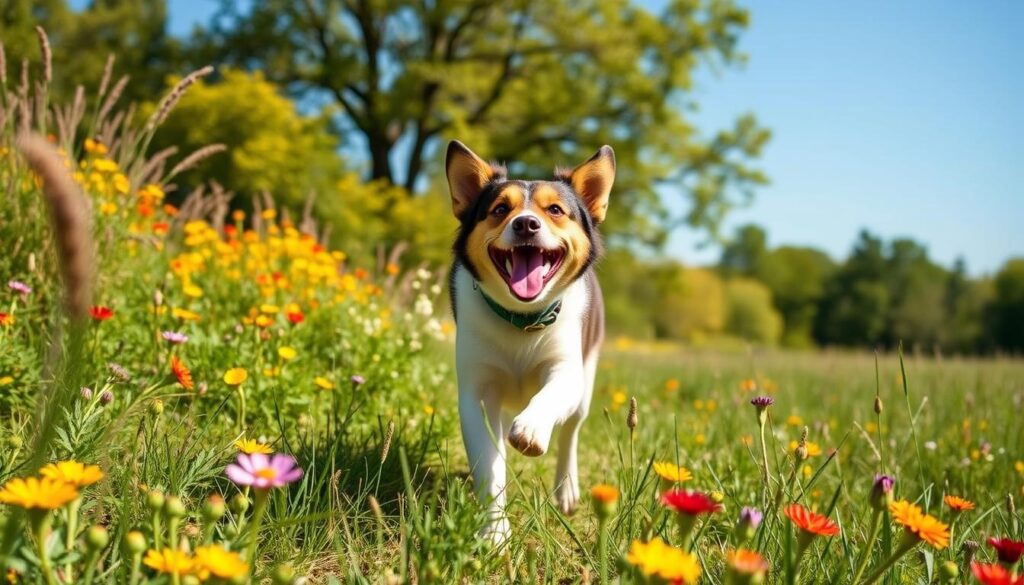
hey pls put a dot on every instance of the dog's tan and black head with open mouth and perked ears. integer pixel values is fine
(526, 241)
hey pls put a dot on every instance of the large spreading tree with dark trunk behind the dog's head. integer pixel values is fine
(533, 82)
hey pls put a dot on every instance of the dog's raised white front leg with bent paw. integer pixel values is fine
(561, 398)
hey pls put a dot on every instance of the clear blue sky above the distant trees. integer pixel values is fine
(904, 117)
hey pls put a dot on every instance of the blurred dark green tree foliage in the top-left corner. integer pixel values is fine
(134, 31)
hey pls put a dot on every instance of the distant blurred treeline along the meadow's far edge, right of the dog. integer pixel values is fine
(883, 294)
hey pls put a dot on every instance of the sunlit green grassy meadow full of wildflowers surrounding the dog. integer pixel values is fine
(350, 370)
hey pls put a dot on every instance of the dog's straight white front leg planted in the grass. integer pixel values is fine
(478, 412)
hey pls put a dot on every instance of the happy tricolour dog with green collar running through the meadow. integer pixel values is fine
(530, 316)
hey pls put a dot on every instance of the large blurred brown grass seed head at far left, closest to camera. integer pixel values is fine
(71, 224)
